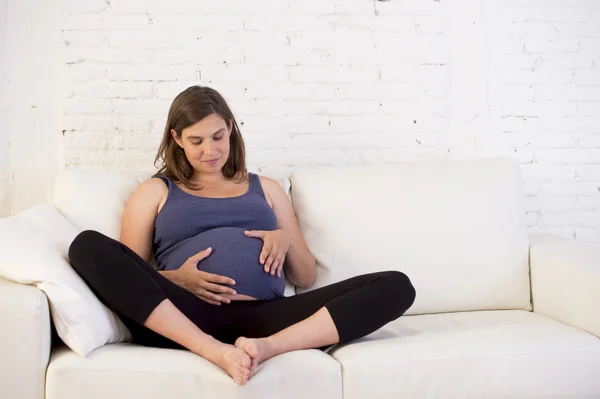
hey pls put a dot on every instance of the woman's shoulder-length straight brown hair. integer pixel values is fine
(190, 106)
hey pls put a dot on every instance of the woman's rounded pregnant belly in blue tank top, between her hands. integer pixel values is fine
(233, 255)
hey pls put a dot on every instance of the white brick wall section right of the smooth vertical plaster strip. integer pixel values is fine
(549, 108)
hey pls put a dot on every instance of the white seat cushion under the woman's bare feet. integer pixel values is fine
(131, 371)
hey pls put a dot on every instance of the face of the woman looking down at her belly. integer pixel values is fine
(206, 144)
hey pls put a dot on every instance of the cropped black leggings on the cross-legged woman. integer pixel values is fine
(132, 288)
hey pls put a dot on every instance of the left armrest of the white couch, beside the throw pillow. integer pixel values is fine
(25, 340)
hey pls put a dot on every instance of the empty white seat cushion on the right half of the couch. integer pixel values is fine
(489, 354)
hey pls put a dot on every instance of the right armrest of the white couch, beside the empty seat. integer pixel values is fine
(565, 281)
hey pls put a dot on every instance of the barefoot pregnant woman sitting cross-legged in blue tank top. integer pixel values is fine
(223, 240)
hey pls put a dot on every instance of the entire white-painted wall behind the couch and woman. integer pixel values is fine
(320, 82)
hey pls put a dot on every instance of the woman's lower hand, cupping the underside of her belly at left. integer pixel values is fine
(204, 285)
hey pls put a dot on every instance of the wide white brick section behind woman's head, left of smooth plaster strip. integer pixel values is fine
(325, 82)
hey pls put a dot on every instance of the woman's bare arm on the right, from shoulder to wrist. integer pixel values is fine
(300, 265)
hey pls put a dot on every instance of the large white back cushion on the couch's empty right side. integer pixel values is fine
(457, 229)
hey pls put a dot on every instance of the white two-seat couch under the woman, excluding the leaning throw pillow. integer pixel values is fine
(498, 314)
